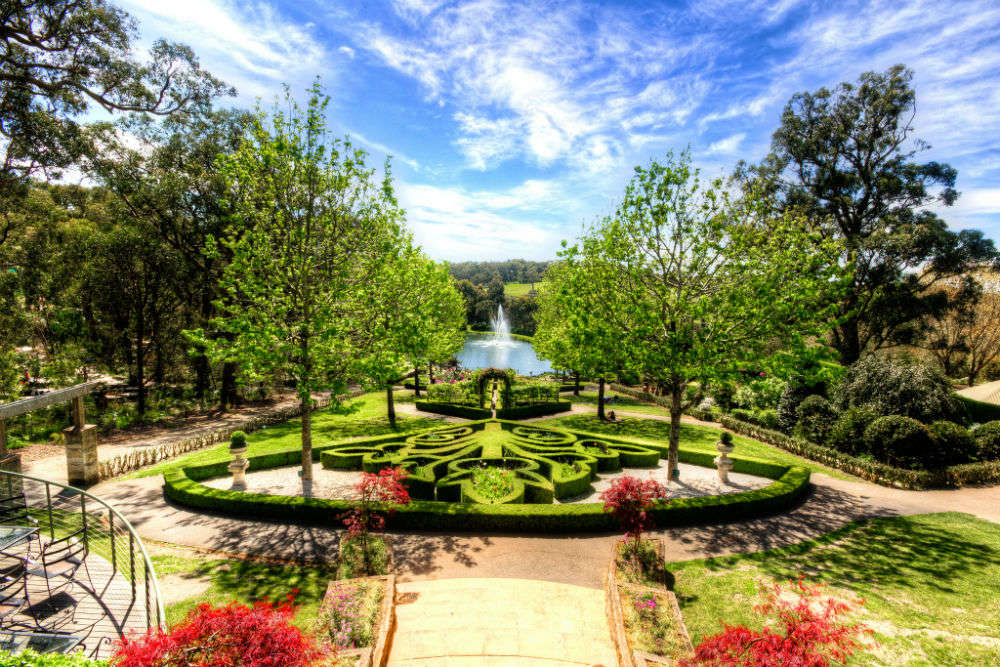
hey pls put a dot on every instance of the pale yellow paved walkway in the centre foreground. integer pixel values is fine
(494, 622)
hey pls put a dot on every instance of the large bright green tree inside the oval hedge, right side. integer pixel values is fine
(697, 283)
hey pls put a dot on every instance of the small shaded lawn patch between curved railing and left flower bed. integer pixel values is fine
(245, 581)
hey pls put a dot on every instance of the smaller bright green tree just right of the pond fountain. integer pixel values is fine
(575, 321)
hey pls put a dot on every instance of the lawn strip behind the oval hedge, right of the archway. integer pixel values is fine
(692, 437)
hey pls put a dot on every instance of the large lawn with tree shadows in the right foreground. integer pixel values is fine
(929, 583)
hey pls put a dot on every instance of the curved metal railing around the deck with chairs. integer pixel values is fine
(122, 579)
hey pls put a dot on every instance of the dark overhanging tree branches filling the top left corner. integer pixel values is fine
(62, 56)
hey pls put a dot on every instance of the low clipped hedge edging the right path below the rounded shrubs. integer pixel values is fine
(987, 472)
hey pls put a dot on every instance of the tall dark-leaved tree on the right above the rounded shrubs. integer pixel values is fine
(846, 160)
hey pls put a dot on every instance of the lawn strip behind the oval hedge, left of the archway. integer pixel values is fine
(360, 417)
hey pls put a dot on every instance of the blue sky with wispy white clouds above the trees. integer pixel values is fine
(513, 125)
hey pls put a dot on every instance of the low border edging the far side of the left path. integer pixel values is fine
(140, 458)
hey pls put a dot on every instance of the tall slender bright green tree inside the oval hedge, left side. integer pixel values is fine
(312, 227)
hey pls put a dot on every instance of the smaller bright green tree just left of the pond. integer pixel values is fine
(412, 314)
